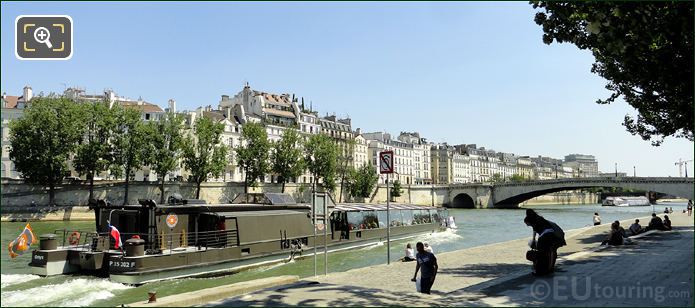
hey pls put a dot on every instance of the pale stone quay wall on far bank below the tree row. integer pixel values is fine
(19, 194)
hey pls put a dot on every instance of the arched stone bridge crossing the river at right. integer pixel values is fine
(510, 195)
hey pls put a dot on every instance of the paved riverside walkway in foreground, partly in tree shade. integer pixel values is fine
(498, 274)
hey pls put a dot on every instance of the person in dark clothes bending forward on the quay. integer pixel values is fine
(550, 238)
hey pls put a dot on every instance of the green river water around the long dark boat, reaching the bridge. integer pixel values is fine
(476, 227)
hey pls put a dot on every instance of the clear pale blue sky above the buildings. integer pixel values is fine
(470, 72)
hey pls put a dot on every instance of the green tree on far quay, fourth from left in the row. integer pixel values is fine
(165, 142)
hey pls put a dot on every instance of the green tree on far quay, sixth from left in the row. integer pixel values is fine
(252, 155)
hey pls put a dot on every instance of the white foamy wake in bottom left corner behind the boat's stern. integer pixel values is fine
(75, 292)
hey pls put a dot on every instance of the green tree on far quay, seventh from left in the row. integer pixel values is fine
(287, 157)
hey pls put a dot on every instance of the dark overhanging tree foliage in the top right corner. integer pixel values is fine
(643, 49)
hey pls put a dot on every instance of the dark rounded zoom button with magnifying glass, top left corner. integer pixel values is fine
(43, 37)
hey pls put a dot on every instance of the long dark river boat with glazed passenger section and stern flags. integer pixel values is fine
(190, 238)
